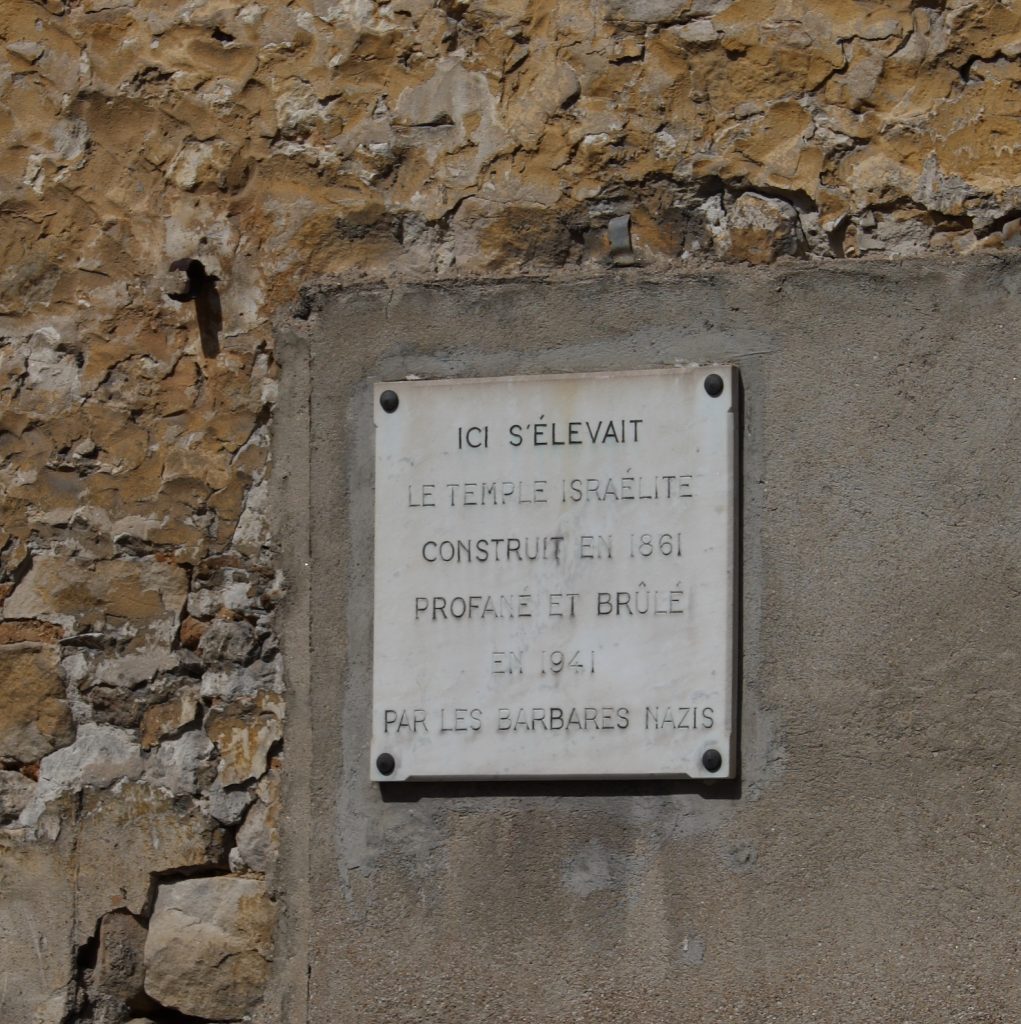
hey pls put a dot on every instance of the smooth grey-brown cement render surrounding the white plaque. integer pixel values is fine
(863, 867)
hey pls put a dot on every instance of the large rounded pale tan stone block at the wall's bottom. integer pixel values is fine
(208, 950)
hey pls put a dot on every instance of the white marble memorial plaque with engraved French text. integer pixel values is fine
(556, 577)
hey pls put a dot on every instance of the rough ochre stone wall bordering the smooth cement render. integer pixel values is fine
(285, 145)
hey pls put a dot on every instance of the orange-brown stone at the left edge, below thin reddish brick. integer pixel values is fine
(35, 718)
